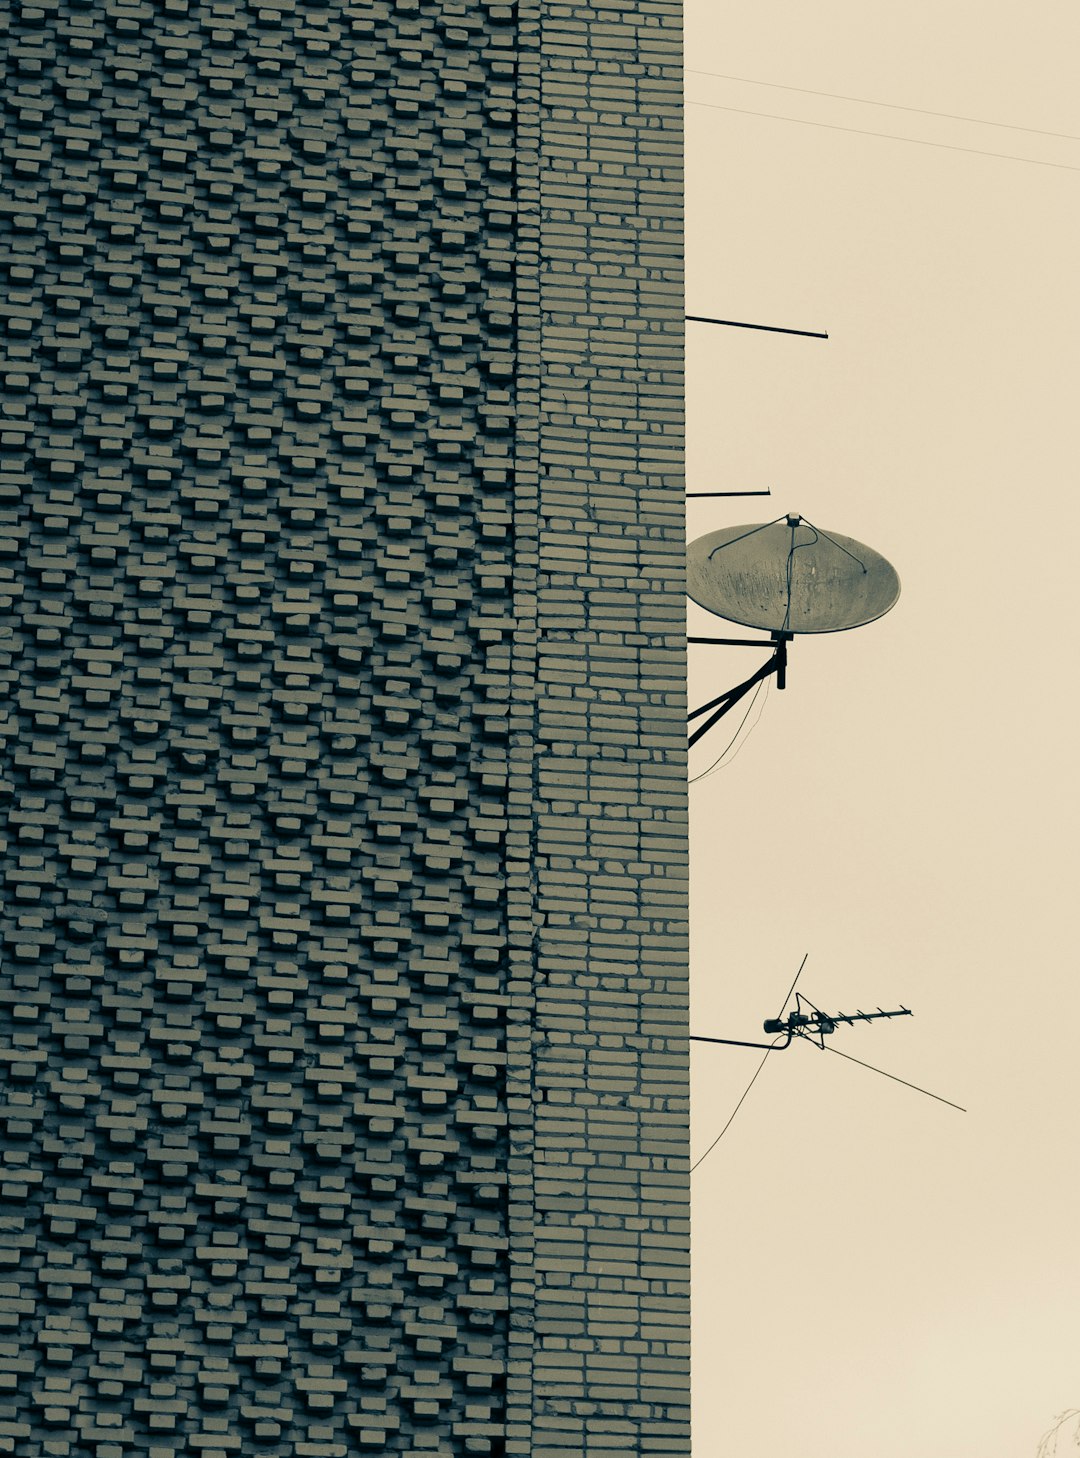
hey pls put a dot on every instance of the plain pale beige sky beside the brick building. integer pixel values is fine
(878, 1276)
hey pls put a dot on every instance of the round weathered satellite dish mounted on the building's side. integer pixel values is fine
(789, 577)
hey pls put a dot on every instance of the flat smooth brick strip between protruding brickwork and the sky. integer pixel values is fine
(601, 406)
